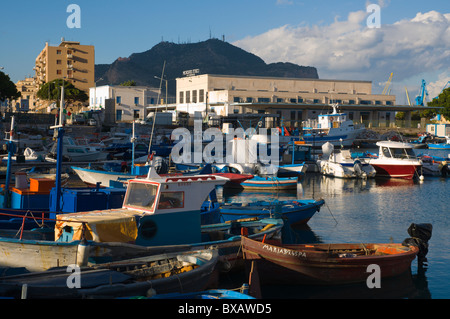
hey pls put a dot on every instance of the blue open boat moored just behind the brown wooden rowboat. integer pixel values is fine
(293, 212)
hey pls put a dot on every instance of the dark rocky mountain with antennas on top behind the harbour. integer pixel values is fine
(210, 57)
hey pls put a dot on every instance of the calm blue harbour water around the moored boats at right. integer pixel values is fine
(372, 211)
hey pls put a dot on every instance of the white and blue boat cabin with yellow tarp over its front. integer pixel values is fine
(155, 211)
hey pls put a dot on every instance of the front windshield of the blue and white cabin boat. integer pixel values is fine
(141, 195)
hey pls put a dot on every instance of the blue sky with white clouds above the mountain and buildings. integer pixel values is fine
(289, 28)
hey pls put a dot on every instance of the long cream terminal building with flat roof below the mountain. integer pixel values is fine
(292, 99)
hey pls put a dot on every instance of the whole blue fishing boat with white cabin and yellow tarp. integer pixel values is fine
(158, 213)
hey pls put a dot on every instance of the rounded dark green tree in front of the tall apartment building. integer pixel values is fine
(52, 91)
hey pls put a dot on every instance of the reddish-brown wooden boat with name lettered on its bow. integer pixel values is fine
(326, 264)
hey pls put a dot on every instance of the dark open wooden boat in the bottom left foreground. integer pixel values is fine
(177, 272)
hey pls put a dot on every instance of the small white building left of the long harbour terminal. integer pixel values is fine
(131, 102)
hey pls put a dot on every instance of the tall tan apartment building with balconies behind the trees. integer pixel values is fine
(69, 60)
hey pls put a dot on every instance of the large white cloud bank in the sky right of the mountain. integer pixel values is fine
(348, 49)
